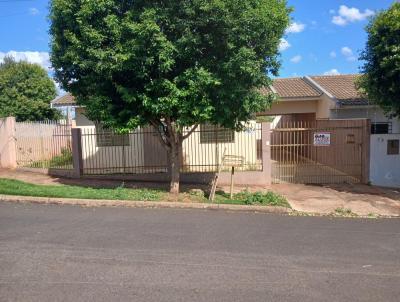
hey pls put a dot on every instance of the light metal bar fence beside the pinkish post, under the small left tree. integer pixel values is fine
(44, 145)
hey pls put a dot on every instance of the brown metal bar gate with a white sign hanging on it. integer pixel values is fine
(320, 152)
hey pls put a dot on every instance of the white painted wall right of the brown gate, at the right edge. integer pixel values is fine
(384, 169)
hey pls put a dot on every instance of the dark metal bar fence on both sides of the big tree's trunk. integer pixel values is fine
(140, 151)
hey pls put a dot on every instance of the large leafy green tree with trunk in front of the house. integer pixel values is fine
(172, 64)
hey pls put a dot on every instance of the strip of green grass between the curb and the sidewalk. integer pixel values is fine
(16, 187)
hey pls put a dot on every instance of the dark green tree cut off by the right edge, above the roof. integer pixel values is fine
(380, 81)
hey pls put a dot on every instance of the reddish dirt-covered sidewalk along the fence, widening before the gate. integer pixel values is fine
(362, 200)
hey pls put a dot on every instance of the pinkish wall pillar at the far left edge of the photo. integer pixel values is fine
(8, 148)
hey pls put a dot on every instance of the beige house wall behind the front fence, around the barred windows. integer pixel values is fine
(197, 156)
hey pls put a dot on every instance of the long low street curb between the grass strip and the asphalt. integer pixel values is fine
(143, 204)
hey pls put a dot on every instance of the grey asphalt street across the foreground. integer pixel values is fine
(67, 253)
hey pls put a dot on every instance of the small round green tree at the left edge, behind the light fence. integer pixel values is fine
(26, 91)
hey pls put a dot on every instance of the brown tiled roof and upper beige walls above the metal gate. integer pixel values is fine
(327, 97)
